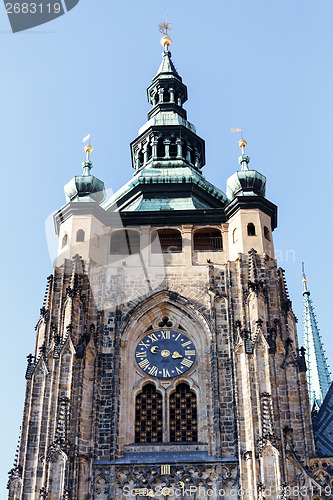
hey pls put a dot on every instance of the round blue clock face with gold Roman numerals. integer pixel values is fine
(165, 353)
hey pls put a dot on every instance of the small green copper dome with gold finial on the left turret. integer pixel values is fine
(85, 187)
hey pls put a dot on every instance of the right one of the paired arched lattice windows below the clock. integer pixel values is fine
(183, 415)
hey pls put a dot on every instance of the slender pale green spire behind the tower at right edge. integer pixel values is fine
(317, 369)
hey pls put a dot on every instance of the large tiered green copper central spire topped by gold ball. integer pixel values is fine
(167, 155)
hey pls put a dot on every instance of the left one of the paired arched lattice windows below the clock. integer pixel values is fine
(148, 416)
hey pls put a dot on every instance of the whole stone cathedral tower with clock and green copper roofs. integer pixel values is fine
(166, 361)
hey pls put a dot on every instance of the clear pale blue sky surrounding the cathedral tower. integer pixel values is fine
(265, 66)
